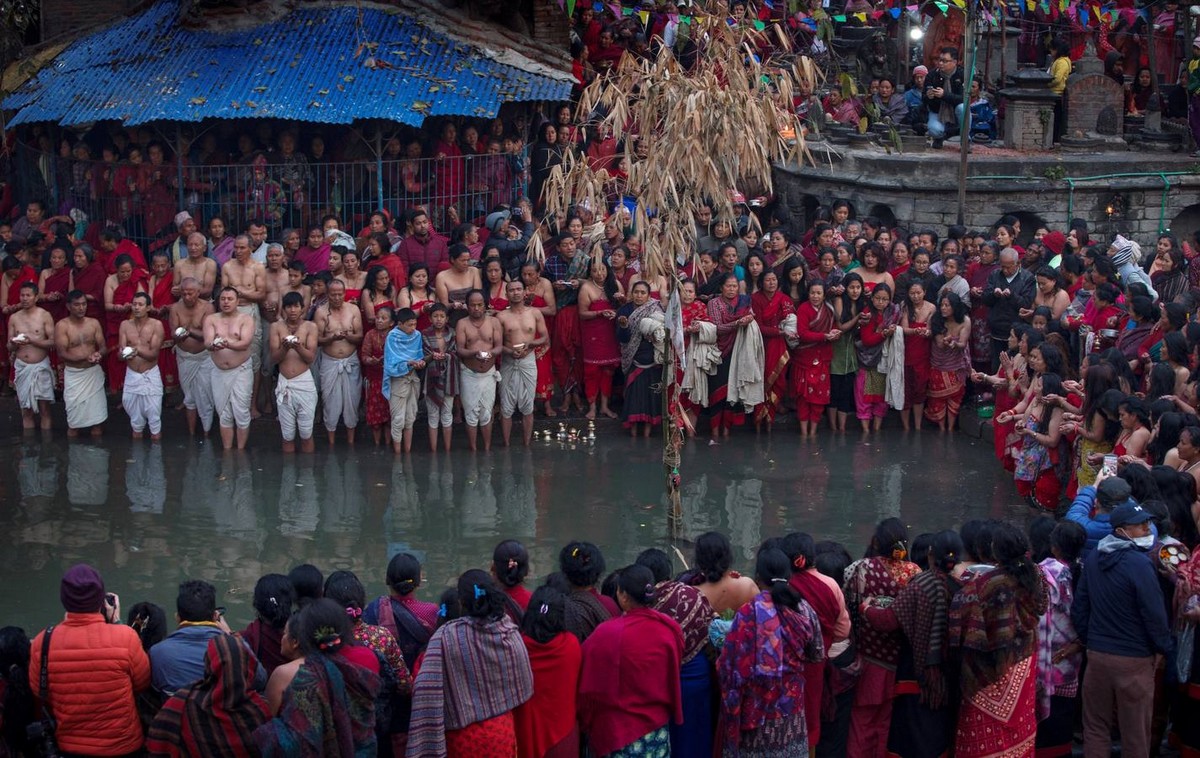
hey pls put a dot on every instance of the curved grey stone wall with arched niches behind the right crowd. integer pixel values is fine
(923, 191)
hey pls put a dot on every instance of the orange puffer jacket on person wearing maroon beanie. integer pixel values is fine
(95, 671)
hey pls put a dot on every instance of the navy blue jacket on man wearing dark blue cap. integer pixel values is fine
(1119, 606)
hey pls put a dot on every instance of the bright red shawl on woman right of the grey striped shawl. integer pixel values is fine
(549, 718)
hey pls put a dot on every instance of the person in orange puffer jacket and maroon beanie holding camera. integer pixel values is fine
(95, 667)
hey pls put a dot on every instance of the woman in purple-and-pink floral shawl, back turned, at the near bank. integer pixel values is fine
(763, 666)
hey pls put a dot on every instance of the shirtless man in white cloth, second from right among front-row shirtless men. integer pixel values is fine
(479, 338)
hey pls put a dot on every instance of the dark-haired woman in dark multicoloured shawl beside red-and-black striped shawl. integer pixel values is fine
(331, 707)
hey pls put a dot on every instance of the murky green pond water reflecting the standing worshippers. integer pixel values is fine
(153, 515)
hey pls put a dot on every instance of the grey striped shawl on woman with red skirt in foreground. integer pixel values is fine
(475, 670)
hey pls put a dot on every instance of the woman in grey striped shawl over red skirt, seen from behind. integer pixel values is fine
(475, 673)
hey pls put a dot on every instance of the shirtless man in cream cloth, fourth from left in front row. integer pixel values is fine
(195, 363)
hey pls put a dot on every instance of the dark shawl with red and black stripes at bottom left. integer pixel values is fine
(215, 718)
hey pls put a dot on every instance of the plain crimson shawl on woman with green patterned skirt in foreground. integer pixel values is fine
(631, 681)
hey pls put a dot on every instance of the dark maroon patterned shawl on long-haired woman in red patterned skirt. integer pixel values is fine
(994, 621)
